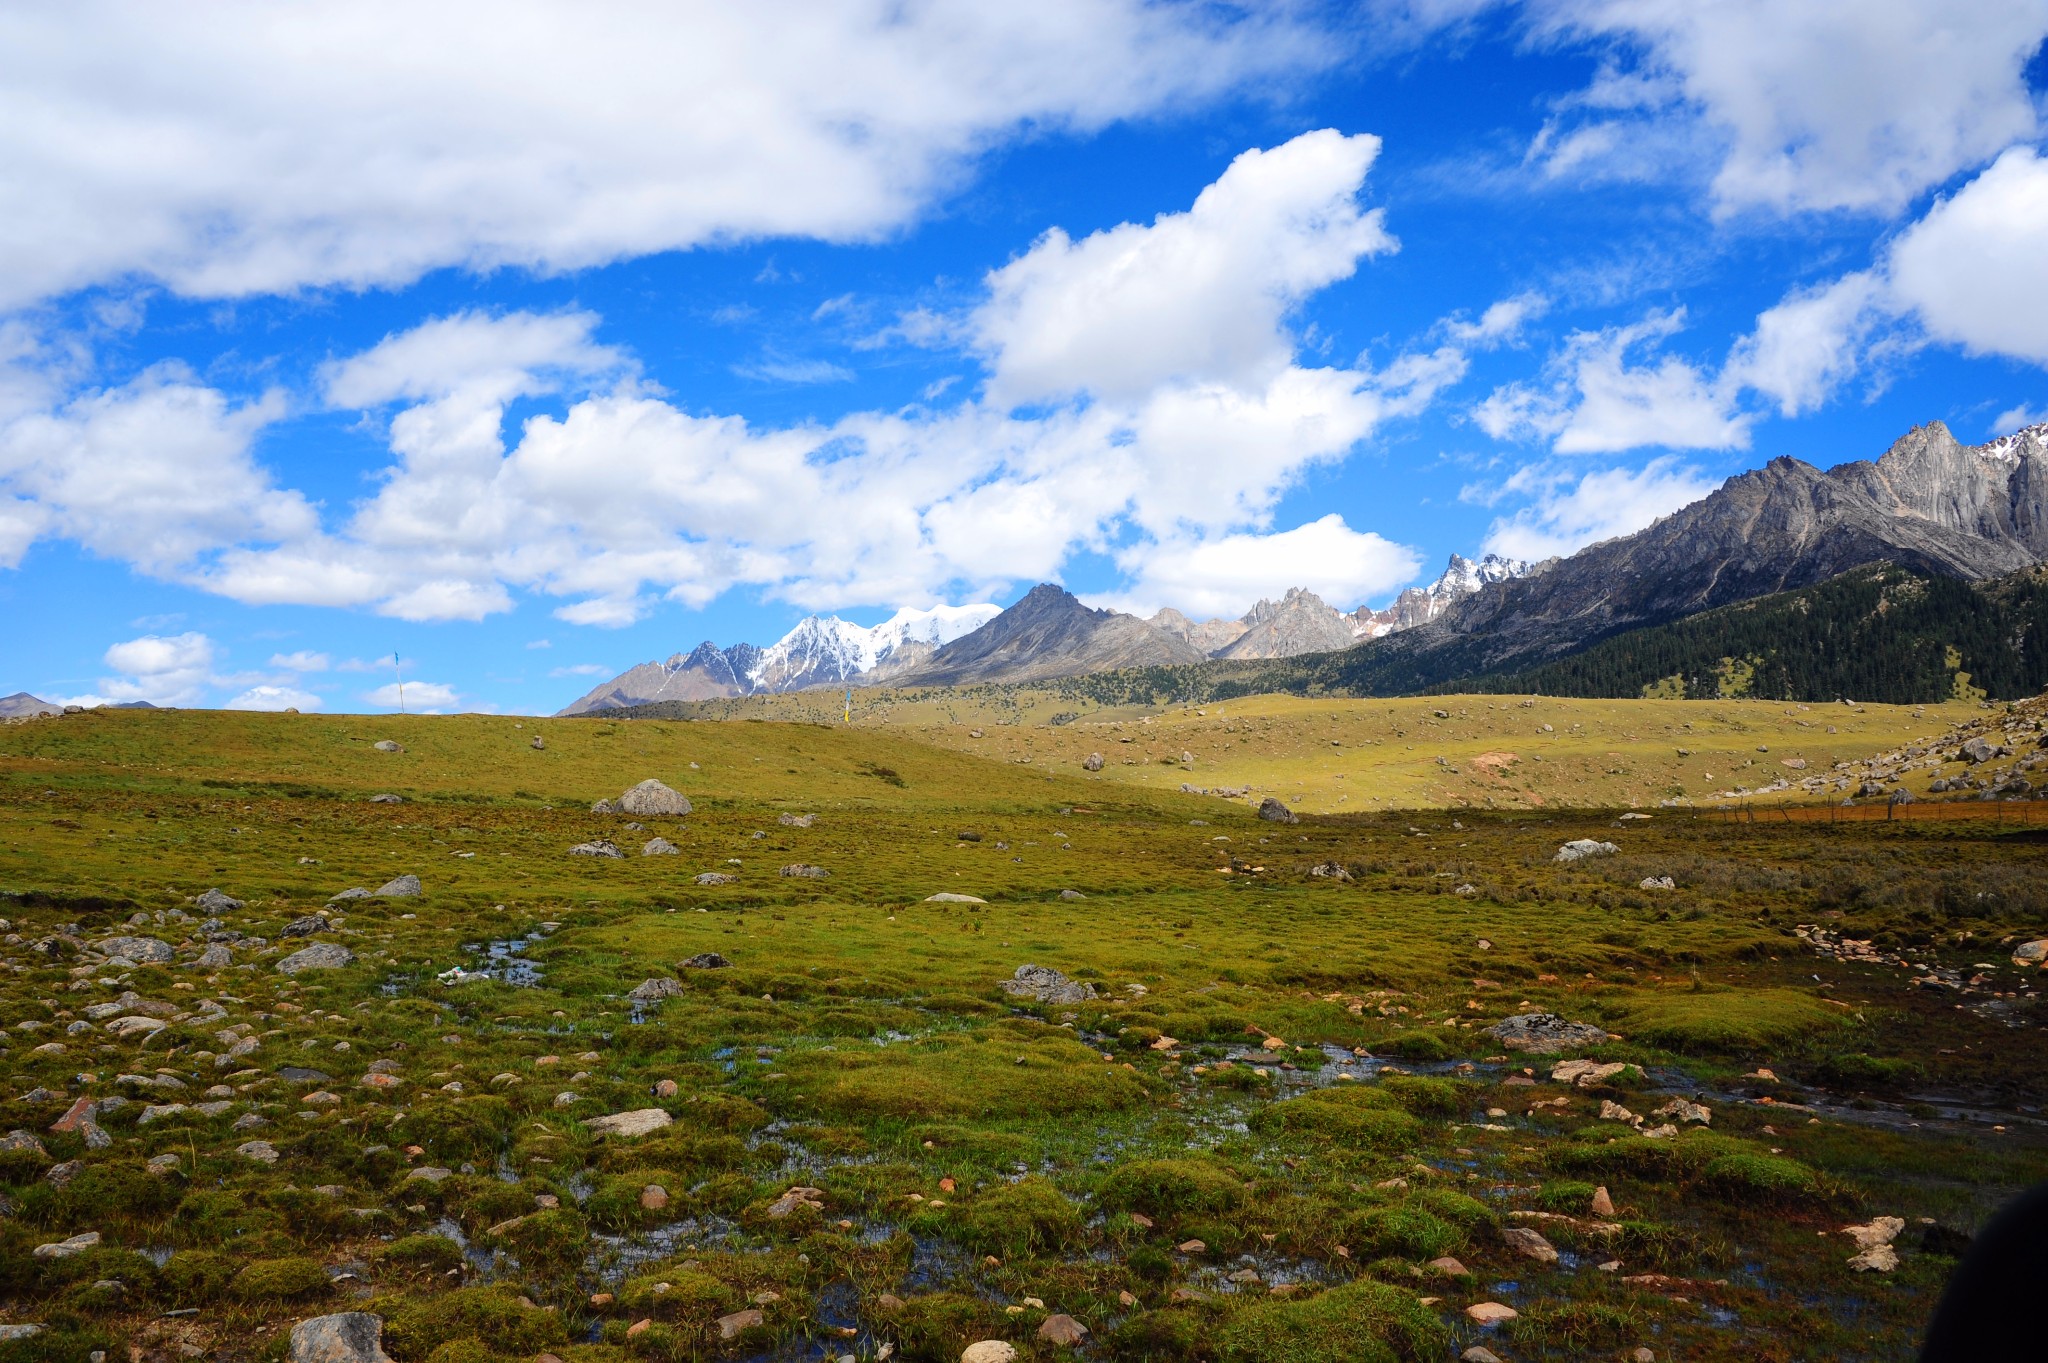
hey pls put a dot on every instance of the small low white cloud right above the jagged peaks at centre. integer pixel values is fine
(1226, 576)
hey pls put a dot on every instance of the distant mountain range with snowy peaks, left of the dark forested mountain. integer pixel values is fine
(1048, 633)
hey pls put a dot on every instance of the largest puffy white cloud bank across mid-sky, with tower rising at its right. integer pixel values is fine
(1195, 439)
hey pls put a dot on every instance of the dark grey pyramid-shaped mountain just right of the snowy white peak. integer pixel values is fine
(1050, 635)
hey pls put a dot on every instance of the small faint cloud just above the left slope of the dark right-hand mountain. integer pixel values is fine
(1570, 515)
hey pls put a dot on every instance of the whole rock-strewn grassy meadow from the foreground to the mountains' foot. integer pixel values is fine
(1279, 1131)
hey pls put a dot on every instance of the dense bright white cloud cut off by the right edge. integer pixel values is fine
(1975, 269)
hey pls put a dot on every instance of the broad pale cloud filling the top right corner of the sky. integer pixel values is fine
(1803, 105)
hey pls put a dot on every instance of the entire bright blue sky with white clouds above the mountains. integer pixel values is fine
(531, 343)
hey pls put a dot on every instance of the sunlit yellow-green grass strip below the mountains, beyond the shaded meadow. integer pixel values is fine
(1449, 752)
